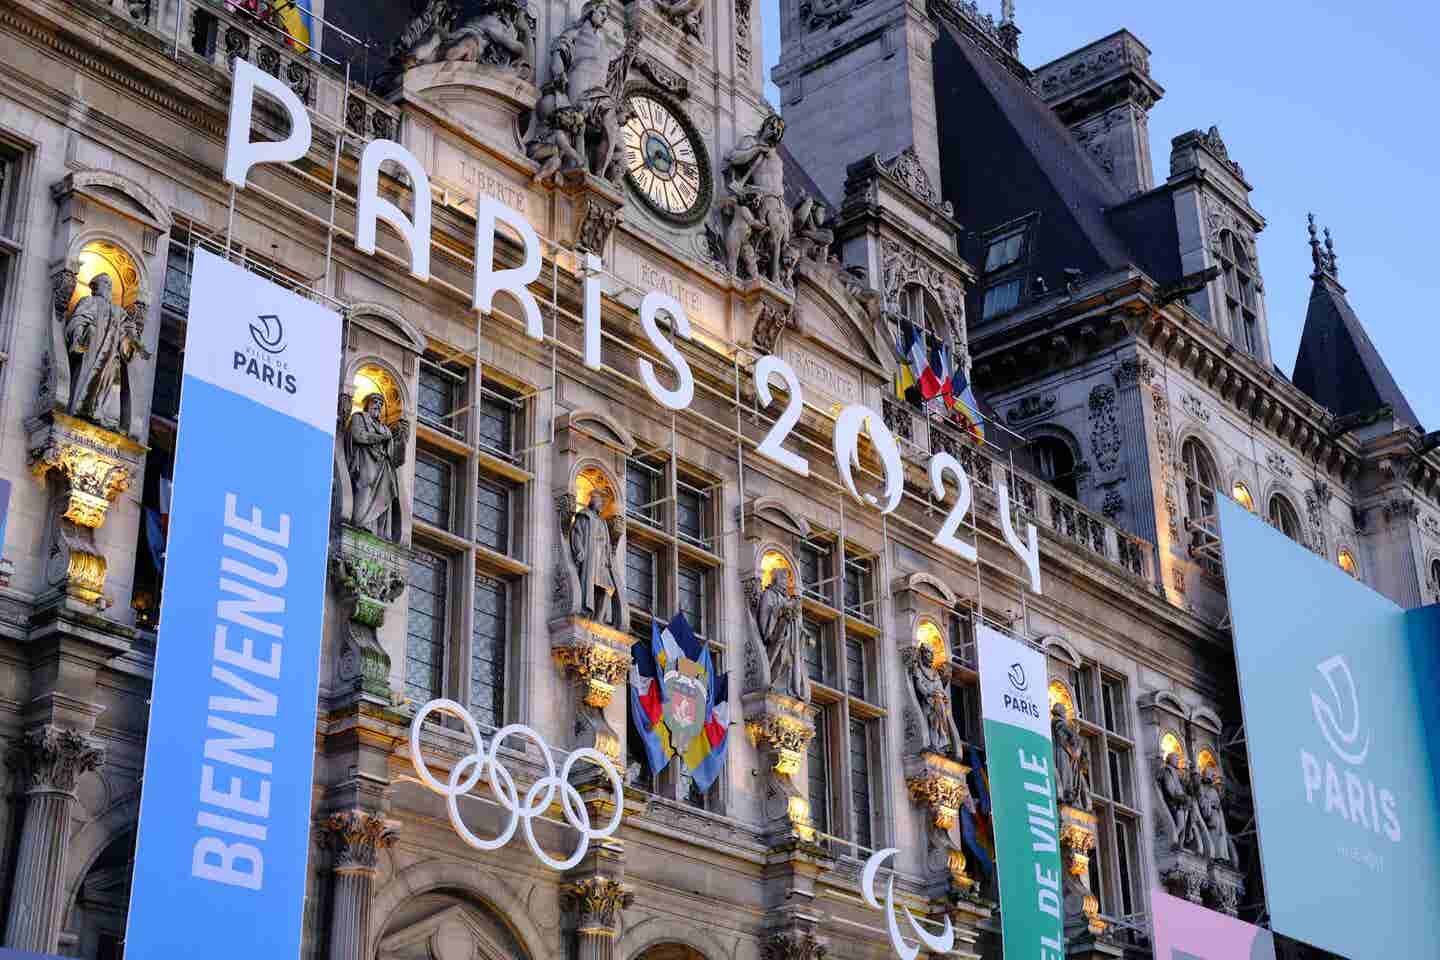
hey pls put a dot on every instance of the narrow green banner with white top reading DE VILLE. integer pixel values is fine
(1027, 828)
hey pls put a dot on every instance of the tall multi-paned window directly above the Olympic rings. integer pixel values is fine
(467, 584)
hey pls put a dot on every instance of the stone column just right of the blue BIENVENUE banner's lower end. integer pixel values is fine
(356, 837)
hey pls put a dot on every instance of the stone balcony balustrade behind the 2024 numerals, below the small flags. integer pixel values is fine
(1032, 497)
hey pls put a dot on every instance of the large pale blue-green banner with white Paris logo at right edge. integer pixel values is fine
(1334, 687)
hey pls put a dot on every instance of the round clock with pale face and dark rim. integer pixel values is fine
(666, 162)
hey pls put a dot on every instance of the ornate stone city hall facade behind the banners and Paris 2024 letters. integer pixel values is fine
(1114, 329)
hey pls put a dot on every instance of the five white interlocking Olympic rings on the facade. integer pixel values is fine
(486, 762)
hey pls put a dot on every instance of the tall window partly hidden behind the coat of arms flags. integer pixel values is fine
(672, 516)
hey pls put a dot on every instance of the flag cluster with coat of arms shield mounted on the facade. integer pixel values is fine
(678, 705)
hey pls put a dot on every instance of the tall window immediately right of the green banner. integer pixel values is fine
(1104, 712)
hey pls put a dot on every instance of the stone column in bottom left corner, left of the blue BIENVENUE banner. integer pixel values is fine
(48, 762)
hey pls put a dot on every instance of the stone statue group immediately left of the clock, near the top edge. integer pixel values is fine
(588, 73)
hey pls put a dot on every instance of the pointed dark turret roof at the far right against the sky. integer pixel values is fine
(1338, 365)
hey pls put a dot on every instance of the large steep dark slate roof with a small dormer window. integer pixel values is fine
(1012, 156)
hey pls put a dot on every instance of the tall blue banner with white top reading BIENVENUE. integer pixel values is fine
(225, 814)
